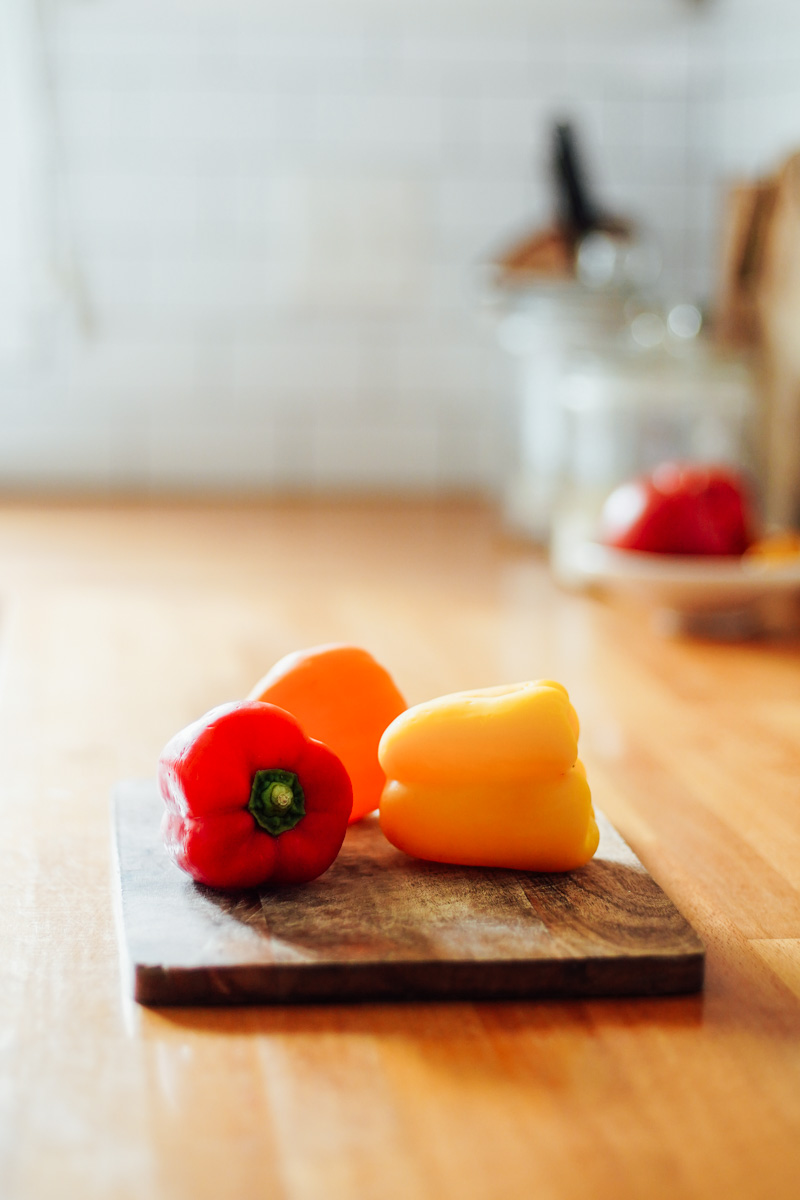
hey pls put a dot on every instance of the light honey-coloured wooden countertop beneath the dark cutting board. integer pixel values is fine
(122, 623)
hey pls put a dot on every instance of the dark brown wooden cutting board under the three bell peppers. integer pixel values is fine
(381, 926)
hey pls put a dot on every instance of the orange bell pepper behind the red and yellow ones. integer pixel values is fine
(344, 698)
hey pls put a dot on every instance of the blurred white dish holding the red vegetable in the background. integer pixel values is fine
(712, 596)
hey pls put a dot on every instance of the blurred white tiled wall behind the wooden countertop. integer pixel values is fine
(276, 213)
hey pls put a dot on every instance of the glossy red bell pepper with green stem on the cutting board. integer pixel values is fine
(251, 800)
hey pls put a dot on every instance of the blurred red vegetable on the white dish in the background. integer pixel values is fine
(681, 509)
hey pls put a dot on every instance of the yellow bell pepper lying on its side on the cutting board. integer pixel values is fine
(490, 778)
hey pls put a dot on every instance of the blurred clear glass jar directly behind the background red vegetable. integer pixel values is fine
(666, 395)
